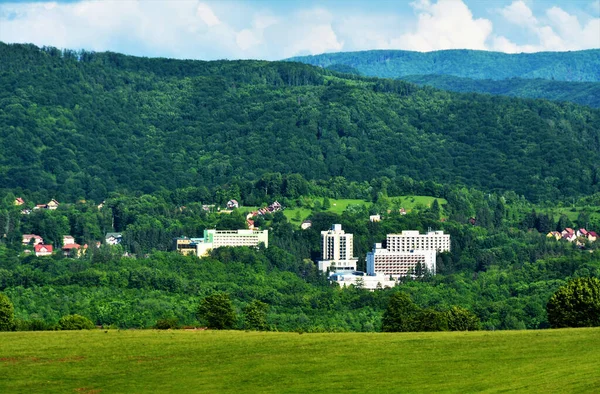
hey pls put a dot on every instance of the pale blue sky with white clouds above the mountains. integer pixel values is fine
(278, 29)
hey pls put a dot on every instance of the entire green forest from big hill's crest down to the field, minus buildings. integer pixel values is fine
(143, 146)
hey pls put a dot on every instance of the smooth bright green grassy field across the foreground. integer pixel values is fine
(249, 362)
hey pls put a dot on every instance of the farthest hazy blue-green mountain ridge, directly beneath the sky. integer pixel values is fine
(562, 66)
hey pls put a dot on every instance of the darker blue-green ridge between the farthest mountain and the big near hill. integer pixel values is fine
(584, 93)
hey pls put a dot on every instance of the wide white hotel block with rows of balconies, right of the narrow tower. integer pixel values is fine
(404, 251)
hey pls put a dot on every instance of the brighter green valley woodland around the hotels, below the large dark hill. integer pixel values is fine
(504, 268)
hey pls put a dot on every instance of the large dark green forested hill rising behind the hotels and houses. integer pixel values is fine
(80, 124)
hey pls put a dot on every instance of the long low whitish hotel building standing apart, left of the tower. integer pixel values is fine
(217, 238)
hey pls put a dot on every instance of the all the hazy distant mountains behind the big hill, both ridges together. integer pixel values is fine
(561, 76)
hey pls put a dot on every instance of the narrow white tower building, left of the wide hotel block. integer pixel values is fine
(338, 250)
